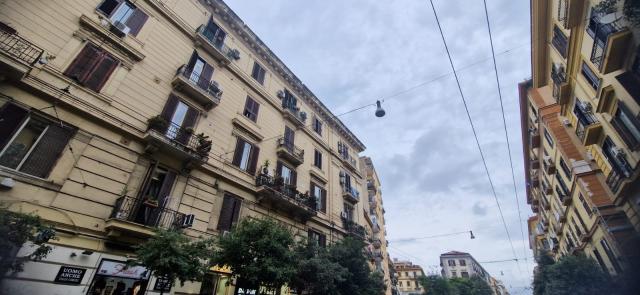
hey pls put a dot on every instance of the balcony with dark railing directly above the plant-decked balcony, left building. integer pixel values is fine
(204, 91)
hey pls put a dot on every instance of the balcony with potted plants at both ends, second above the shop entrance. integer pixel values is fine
(181, 143)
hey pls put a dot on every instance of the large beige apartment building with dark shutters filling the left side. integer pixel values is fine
(118, 117)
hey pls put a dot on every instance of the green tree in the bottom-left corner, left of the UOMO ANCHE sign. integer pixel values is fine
(17, 229)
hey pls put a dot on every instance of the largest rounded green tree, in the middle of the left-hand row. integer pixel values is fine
(259, 251)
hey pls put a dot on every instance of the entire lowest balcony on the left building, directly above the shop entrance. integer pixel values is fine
(134, 216)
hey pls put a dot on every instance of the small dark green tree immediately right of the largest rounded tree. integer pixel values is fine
(315, 272)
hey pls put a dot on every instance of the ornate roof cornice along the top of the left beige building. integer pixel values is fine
(253, 42)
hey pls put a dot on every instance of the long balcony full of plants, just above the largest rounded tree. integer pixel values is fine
(274, 192)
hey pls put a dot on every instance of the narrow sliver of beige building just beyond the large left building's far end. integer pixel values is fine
(375, 224)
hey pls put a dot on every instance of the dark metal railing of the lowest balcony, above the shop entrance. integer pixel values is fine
(147, 213)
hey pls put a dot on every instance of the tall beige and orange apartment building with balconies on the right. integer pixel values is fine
(581, 131)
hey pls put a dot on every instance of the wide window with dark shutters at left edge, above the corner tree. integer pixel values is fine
(30, 143)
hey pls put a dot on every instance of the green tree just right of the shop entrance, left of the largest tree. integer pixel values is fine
(172, 255)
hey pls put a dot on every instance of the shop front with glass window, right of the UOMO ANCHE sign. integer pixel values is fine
(114, 278)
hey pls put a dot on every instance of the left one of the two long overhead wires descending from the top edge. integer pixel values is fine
(475, 135)
